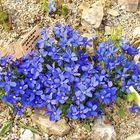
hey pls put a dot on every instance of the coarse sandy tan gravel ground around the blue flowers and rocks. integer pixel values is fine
(25, 15)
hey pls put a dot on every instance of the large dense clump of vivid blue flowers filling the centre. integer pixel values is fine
(61, 76)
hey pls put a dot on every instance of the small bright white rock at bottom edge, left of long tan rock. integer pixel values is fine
(27, 135)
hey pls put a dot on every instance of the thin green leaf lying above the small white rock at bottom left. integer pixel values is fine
(34, 130)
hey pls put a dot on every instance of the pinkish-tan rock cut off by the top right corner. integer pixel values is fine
(129, 5)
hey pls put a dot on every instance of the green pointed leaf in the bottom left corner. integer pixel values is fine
(6, 127)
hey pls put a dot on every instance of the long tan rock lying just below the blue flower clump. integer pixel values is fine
(59, 128)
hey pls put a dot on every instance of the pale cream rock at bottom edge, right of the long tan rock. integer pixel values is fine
(102, 131)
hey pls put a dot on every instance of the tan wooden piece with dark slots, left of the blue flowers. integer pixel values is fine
(24, 46)
